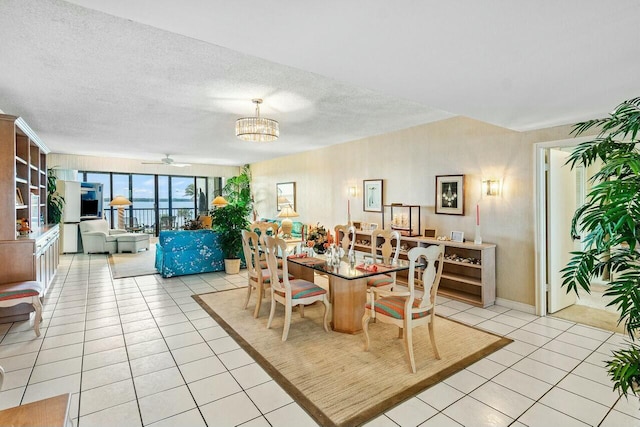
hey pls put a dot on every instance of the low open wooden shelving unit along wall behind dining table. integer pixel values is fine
(469, 271)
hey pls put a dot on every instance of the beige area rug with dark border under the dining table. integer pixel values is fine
(329, 374)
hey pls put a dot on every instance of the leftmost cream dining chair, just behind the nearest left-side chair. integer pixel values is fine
(258, 277)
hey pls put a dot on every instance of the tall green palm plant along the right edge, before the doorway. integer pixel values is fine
(610, 218)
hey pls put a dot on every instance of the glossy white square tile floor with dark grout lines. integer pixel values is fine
(140, 351)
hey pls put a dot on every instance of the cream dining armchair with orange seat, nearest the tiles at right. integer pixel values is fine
(406, 309)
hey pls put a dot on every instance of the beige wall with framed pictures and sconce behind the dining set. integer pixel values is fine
(408, 161)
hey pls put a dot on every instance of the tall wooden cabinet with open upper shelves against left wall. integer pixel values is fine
(23, 182)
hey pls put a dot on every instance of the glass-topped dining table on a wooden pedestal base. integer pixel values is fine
(347, 283)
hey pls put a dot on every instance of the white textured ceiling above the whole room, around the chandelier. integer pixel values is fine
(143, 78)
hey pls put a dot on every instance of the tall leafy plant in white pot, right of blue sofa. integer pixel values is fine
(230, 220)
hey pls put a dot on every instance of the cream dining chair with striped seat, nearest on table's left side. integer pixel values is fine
(290, 293)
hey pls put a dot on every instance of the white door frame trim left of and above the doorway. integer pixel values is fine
(539, 206)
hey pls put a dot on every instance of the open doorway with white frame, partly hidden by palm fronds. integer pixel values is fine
(559, 191)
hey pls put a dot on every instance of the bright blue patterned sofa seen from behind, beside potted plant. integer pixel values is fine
(181, 252)
